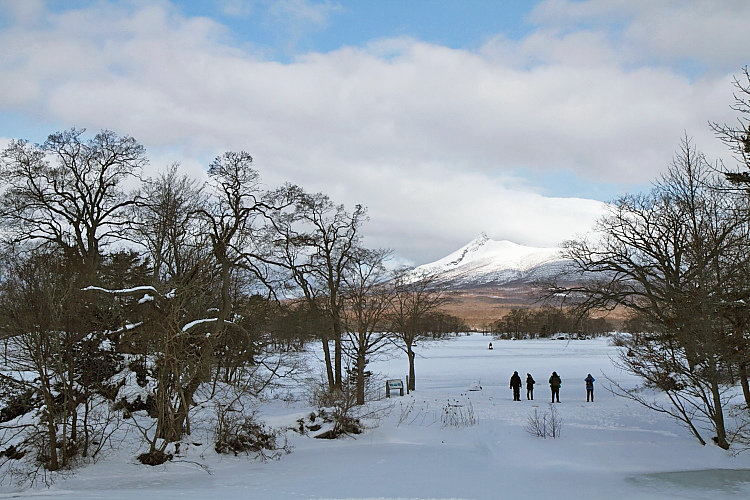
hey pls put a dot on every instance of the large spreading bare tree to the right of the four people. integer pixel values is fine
(665, 256)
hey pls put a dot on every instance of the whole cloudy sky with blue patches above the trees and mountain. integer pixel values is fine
(445, 119)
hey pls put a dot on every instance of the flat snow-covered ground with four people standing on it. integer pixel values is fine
(611, 448)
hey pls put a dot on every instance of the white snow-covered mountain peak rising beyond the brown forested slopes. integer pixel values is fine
(486, 262)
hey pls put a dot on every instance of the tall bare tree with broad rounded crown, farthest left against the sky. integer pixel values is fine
(64, 198)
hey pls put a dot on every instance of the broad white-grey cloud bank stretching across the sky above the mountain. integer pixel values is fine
(427, 137)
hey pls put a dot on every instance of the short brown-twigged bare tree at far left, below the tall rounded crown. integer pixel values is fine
(40, 305)
